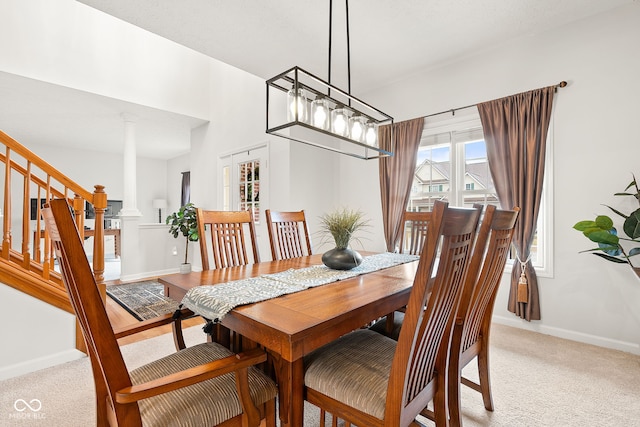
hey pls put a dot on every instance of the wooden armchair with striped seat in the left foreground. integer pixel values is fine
(205, 384)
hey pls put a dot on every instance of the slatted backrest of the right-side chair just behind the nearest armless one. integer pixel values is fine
(479, 293)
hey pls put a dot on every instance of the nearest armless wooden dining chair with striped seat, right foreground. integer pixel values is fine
(368, 379)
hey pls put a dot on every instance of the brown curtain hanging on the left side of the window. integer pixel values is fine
(396, 174)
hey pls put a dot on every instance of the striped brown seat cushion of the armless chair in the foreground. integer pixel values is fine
(353, 370)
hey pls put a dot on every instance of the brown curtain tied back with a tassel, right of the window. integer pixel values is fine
(515, 131)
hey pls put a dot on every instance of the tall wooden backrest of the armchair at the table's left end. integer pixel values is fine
(109, 370)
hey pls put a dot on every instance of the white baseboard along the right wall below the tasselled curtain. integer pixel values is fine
(628, 347)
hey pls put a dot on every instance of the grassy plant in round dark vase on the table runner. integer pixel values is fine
(342, 225)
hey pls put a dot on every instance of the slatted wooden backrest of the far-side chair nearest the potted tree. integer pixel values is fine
(228, 238)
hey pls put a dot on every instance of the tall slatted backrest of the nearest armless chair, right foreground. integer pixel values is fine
(418, 371)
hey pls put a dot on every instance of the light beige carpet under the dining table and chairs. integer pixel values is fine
(537, 380)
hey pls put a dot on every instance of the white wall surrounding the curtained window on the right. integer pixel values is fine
(595, 150)
